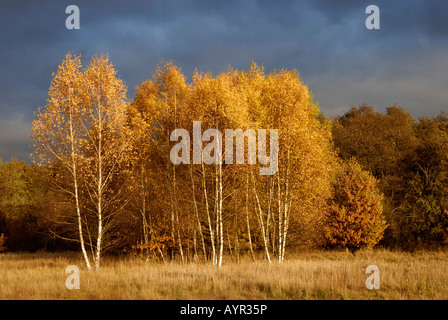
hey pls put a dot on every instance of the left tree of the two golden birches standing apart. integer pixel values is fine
(58, 136)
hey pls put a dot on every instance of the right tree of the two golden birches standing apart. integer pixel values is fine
(104, 98)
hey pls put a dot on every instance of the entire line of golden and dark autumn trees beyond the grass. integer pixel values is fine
(103, 181)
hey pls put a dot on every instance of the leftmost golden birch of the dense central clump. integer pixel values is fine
(158, 107)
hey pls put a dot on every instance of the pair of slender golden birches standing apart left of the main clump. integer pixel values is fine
(80, 133)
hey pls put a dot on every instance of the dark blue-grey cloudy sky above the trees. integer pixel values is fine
(344, 63)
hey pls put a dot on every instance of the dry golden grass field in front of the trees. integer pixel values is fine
(304, 275)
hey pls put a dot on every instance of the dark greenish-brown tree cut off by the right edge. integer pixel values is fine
(423, 214)
